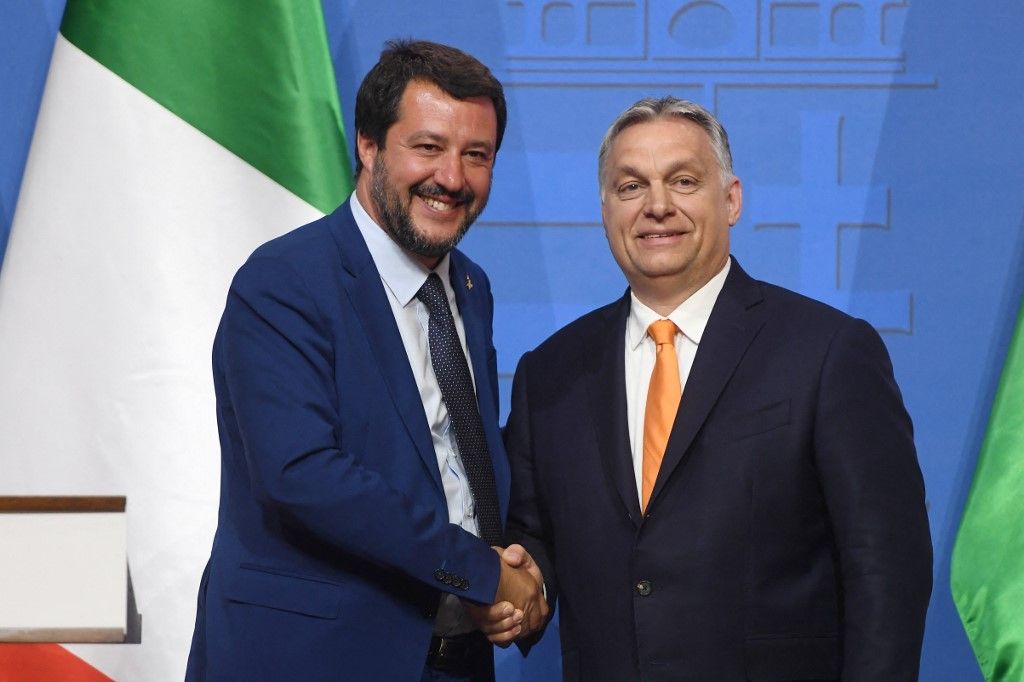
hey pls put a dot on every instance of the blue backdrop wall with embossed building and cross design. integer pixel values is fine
(877, 143)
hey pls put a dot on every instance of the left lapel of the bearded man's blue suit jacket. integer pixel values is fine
(366, 293)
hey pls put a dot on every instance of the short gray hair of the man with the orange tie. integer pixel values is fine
(651, 109)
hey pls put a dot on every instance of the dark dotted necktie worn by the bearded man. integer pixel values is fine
(460, 399)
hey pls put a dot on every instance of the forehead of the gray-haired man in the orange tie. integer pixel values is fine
(662, 139)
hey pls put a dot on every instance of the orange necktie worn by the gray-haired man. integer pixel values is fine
(663, 402)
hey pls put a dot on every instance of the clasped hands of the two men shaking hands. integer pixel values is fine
(521, 608)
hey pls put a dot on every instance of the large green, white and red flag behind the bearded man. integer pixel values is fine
(175, 137)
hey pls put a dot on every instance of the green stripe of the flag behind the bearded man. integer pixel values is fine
(254, 75)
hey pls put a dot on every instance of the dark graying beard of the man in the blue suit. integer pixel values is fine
(397, 220)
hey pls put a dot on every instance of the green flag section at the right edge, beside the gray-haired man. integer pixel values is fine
(988, 576)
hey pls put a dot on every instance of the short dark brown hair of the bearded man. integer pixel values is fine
(458, 74)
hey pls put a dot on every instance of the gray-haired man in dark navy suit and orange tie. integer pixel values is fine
(717, 477)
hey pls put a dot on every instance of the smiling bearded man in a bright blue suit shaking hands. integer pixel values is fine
(364, 481)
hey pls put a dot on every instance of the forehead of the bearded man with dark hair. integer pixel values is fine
(426, 106)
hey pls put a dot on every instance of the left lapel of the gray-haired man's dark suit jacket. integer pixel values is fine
(607, 390)
